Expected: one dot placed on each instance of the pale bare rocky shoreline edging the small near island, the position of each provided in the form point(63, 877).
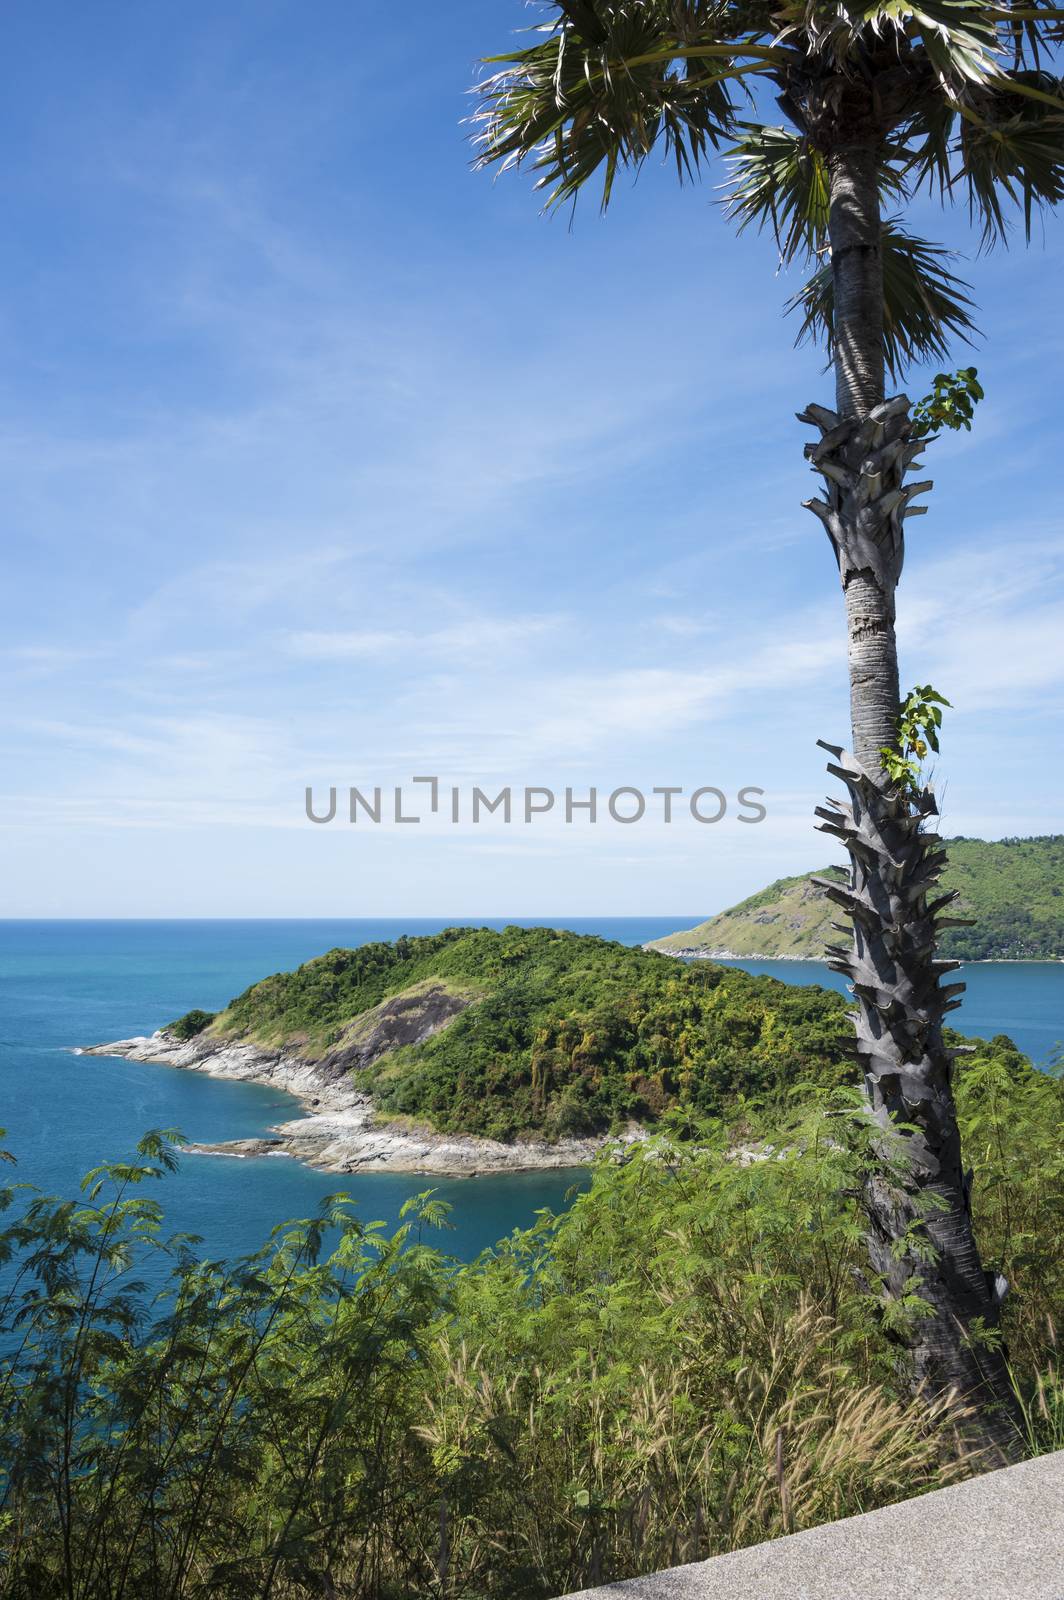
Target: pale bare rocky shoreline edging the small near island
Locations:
point(340, 1130)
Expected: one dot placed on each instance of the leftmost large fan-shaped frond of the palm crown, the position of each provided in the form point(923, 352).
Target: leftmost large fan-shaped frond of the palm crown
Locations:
point(612, 79)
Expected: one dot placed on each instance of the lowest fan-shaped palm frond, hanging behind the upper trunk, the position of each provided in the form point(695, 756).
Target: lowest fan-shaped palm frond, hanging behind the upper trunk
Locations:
point(926, 305)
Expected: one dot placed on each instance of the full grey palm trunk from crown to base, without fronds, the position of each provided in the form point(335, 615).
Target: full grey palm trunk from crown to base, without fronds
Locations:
point(865, 454)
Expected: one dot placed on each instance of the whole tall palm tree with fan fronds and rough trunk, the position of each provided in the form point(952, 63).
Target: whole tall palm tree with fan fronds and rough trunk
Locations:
point(882, 100)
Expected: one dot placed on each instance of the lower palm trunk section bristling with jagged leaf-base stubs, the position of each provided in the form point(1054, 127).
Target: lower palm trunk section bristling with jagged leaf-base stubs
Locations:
point(908, 1076)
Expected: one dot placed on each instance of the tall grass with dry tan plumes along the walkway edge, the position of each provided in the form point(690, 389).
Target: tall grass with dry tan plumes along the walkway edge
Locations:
point(578, 1482)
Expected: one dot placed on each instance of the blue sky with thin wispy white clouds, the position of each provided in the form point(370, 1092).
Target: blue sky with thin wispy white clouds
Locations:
point(329, 462)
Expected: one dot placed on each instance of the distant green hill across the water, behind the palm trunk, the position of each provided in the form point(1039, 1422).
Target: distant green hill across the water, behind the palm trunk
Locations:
point(1012, 889)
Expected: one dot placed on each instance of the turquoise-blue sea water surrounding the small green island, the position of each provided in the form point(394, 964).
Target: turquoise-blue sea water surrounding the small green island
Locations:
point(65, 985)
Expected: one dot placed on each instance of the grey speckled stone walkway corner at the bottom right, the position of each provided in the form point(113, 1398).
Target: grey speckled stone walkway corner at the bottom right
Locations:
point(994, 1538)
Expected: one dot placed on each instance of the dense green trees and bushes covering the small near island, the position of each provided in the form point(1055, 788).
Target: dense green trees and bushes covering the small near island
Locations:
point(564, 1034)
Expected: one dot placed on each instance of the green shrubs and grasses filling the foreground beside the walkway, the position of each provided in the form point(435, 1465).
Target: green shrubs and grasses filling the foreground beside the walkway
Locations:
point(601, 1396)
